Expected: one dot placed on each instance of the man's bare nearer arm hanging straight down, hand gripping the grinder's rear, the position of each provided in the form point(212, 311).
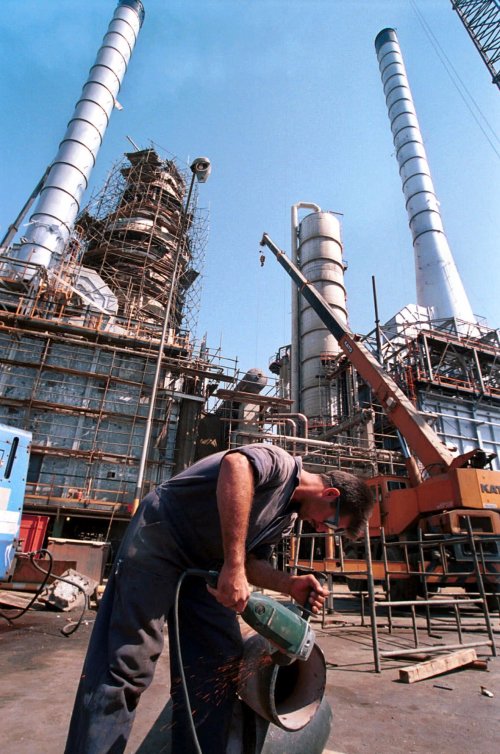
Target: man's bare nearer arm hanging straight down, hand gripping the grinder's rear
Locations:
point(235, 489)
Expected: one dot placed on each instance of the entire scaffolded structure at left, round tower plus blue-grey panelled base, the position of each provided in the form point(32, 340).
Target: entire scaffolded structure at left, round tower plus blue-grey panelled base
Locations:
point(80, 343)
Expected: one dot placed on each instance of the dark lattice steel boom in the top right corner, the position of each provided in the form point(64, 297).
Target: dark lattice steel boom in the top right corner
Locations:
point(481, 19)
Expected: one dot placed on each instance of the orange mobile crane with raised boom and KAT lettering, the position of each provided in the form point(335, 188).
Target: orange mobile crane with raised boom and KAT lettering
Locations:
point(456, 488)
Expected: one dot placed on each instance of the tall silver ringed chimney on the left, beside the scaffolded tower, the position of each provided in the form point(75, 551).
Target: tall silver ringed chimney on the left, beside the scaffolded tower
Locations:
point(54, 215)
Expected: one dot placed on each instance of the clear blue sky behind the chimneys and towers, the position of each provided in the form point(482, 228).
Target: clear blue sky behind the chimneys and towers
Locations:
point(285, 98)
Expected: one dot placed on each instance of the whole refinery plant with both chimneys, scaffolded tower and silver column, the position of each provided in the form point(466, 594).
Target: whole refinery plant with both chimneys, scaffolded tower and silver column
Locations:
point(98, 307)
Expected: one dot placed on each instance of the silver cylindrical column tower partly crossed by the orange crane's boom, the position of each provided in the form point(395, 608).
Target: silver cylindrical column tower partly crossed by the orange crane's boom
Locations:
point(318, 254)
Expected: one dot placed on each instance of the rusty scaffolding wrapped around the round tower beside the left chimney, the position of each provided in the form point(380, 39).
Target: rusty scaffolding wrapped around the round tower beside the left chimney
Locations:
point(134, 230)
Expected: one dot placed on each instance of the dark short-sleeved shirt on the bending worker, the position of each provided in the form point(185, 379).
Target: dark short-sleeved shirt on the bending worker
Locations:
point(189, 503)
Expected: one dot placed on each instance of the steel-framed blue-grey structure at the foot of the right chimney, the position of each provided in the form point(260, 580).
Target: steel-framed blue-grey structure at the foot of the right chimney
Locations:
point(453, 379)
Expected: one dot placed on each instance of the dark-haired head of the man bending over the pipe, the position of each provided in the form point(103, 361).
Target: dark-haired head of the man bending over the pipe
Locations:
point(351, 501)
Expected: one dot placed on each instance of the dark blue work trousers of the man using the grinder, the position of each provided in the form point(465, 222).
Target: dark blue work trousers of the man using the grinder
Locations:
point(128, 639)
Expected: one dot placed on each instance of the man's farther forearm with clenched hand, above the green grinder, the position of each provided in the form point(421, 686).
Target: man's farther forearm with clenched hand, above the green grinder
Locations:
point(303, 589)
